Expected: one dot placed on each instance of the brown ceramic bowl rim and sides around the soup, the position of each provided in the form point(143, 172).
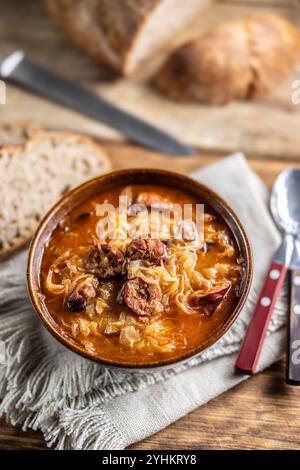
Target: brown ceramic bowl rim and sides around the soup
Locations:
point(125, 177)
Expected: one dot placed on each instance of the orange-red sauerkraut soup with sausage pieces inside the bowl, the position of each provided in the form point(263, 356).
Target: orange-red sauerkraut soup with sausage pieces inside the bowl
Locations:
point(140, 299)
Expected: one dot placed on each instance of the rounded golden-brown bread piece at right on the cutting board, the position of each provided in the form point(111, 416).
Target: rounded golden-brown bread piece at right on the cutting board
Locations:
point(237, 60)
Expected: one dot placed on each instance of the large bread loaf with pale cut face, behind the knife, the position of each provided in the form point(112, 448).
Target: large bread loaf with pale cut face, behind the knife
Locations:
point(127, 35)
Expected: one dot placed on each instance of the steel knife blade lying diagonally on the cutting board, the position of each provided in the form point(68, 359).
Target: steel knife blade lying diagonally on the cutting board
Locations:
point(24, 72)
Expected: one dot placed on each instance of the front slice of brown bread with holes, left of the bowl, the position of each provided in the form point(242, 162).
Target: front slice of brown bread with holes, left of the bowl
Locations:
point(35, 174)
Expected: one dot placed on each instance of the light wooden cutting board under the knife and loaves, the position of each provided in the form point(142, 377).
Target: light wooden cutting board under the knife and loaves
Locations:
point(268, 128)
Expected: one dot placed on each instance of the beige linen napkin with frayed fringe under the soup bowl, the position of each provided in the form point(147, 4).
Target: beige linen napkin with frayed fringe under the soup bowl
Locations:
point(81, 405)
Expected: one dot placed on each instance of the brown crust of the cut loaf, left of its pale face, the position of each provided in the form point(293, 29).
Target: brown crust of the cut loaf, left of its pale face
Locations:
point(106, 32)
